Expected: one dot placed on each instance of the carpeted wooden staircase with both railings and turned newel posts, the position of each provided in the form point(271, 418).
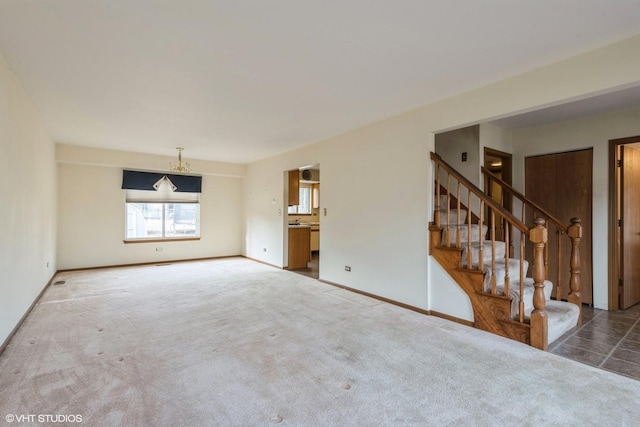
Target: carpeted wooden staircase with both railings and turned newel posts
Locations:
point(482, 246)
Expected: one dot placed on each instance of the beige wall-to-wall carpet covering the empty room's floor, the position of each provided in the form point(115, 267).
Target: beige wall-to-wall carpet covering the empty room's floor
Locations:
point(236, 343)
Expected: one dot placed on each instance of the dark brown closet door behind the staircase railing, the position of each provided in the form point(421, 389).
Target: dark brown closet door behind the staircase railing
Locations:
point(562, 185)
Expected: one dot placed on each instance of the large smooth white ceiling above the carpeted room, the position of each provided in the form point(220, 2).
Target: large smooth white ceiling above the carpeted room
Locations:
point(241, 80)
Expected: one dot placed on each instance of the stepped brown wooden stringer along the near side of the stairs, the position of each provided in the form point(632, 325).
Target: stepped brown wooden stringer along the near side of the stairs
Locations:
point(492, 313)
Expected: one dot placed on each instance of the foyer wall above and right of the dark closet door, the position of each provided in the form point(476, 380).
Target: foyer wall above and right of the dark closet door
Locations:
point(588, 132)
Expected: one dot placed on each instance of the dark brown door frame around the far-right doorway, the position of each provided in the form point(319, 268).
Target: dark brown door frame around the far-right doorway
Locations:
point(614, 238)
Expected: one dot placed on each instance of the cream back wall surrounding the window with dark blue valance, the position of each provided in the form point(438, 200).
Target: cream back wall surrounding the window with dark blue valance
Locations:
point(91, 220)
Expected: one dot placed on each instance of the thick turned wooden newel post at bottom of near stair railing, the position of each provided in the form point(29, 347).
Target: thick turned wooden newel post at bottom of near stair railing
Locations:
point(539, 322)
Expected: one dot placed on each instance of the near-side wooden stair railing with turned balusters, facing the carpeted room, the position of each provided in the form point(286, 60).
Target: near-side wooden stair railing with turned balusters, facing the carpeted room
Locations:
point(477, 201)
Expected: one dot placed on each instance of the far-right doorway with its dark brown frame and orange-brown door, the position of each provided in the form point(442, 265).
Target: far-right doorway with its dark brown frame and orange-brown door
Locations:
point(624, 223)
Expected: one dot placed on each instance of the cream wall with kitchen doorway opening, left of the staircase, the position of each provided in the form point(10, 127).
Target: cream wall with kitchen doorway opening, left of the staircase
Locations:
point(365, 181)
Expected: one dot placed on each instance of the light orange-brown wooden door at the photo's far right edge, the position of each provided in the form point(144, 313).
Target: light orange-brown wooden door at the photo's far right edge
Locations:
point(630, 226)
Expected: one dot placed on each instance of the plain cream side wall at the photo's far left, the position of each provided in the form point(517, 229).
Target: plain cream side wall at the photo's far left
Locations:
point(28, 203)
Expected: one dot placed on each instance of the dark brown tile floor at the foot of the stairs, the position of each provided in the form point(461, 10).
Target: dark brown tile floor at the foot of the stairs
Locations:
point(606, 339)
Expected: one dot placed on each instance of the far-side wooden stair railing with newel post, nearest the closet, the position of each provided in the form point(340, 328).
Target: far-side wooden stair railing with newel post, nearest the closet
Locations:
point(572, 231)
